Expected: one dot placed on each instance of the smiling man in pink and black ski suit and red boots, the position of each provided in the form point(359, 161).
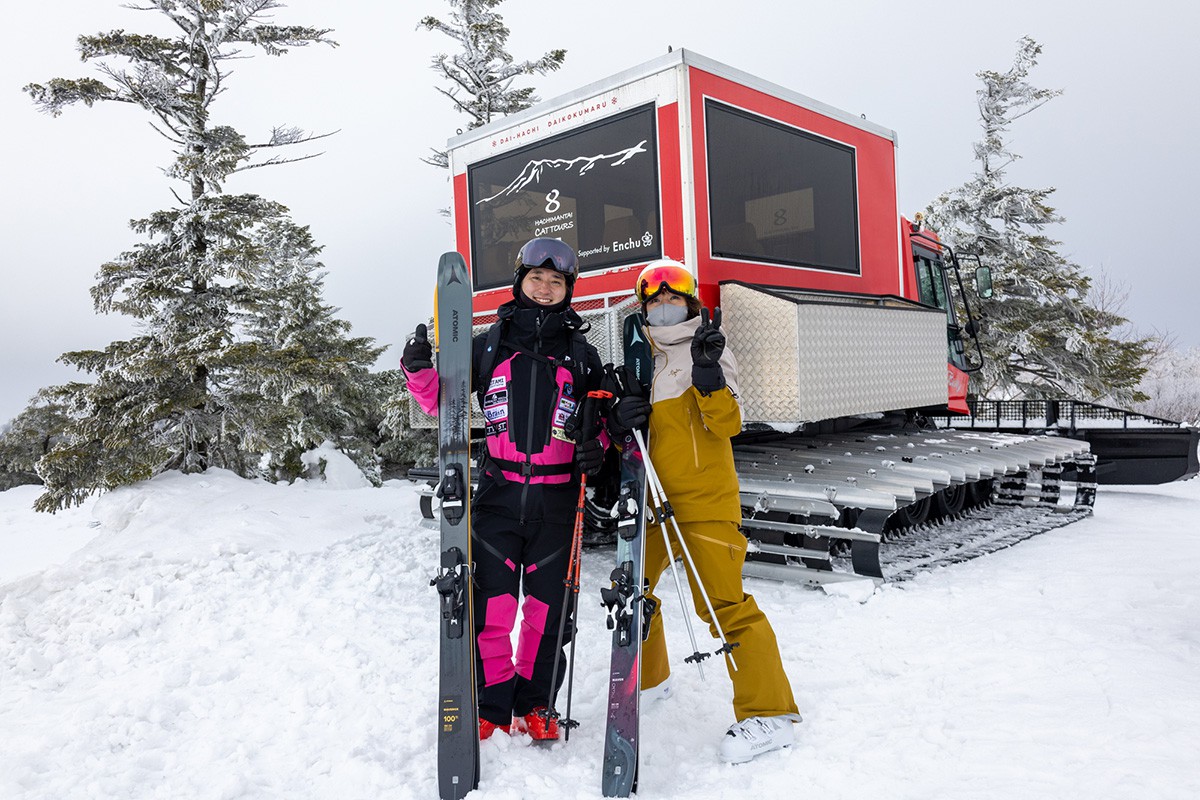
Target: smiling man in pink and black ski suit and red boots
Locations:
point(532, 372)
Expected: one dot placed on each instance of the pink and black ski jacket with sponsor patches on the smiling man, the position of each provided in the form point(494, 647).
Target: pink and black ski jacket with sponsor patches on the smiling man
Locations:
point(530, 401)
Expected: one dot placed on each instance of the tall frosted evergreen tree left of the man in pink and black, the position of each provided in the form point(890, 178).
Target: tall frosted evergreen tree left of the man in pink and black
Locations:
point(189, 392)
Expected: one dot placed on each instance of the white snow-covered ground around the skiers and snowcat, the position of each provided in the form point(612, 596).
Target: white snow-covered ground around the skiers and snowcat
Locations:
point(211, 637)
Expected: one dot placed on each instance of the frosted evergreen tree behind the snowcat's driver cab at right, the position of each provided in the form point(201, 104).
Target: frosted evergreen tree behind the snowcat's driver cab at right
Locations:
point(1045, 338)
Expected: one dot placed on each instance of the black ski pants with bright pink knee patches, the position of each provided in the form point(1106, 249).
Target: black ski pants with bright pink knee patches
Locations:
point(515, 560)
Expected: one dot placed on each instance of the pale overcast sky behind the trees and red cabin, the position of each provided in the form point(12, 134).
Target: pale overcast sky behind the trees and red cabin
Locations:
point(1120, 145)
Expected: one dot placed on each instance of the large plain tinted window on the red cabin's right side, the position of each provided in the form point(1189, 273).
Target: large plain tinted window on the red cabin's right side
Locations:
point(778, 194)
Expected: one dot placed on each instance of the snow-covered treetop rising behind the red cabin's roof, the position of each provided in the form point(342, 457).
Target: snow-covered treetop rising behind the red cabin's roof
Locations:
point(481, 77)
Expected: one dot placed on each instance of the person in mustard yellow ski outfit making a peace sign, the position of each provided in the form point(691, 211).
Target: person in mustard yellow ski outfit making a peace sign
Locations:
point(693, 413)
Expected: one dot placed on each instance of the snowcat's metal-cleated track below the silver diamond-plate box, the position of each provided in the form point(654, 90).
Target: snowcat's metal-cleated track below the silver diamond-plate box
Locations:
point(887, 507)
